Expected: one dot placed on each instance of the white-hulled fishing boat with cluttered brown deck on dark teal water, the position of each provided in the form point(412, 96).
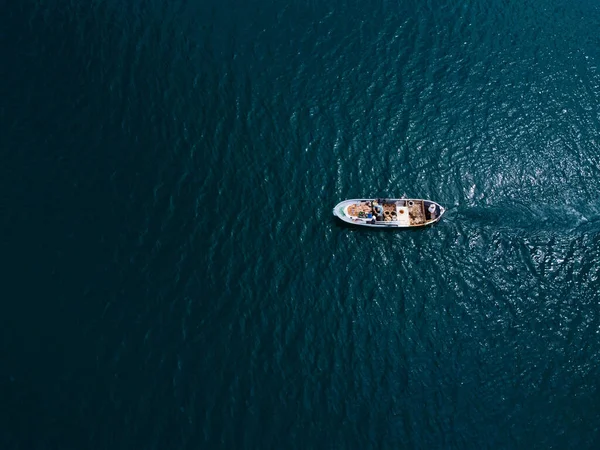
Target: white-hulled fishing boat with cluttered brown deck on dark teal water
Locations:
point(389, 212)
